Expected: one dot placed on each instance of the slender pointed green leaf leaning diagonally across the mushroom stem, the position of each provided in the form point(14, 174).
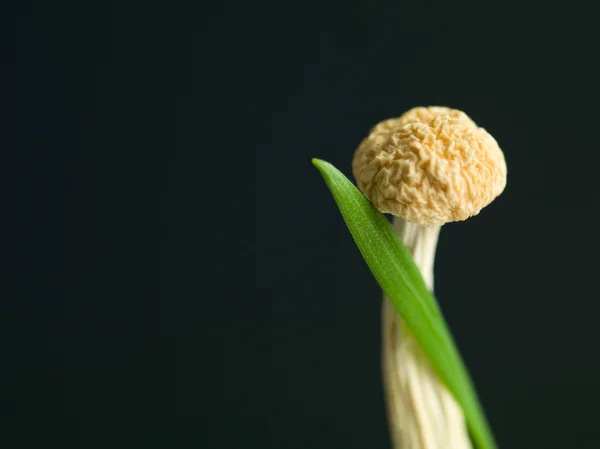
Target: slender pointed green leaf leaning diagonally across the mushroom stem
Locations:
point(394, 269)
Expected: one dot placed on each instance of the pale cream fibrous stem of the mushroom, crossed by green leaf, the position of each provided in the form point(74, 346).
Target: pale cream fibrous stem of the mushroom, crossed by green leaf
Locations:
point(422, 413)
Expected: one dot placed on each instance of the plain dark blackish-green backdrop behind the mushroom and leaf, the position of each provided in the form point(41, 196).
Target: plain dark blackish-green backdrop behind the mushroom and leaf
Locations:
point(180, 276)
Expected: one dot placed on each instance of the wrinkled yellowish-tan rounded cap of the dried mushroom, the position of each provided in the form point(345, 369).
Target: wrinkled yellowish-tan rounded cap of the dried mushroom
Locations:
point(431, 173)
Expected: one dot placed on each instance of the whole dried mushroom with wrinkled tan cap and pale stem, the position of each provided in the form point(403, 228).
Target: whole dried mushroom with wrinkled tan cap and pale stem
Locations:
point(428, 167)
